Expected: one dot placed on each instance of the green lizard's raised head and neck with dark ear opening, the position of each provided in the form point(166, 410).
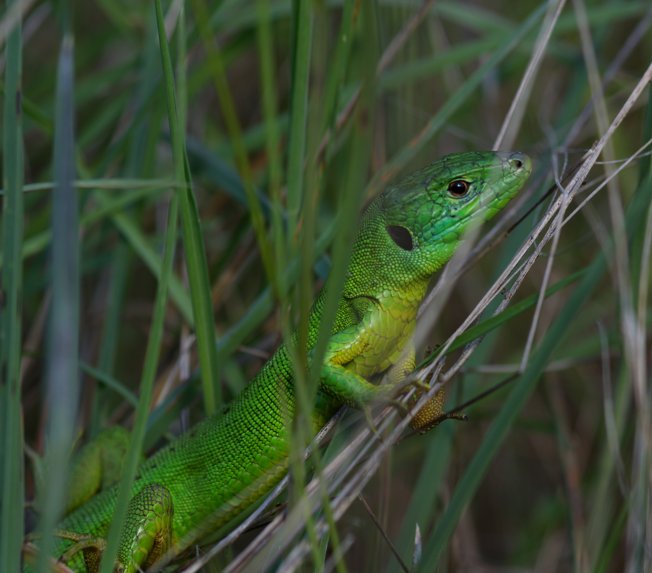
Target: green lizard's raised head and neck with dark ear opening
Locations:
point(411, 229)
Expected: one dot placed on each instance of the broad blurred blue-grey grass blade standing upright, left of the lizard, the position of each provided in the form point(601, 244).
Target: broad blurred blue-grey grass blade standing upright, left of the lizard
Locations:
point(63, 362)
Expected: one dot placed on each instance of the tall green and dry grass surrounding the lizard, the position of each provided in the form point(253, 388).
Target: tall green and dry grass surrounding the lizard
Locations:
point(178, 180)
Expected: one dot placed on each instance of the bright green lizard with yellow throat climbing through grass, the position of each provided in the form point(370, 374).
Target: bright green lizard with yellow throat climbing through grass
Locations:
point(207, 479)
